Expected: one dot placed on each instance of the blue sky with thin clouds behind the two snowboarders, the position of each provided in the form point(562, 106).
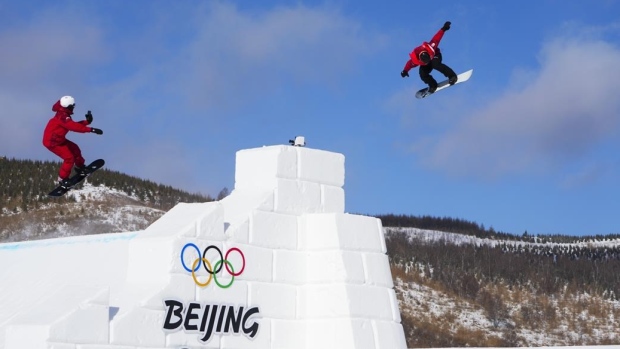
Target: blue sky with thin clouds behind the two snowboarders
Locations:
point(530, 142)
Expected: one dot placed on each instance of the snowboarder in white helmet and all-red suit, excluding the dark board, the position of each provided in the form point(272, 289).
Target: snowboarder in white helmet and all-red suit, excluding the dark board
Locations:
point(54, 137)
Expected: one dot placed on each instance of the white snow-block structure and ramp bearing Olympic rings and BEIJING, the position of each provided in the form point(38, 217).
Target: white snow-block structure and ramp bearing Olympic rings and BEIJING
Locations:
point(276, 264)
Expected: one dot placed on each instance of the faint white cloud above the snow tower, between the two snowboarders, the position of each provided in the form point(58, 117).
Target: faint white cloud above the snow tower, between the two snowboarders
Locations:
point(237, 57)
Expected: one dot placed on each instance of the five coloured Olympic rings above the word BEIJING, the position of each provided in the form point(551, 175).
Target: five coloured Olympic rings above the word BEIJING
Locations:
point(216, 268)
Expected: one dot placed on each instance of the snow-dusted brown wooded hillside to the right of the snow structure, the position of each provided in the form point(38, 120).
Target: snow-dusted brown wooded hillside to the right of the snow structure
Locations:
point(462, 307)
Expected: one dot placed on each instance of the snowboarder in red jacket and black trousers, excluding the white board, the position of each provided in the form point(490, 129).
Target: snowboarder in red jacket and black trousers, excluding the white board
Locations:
point(428, 57)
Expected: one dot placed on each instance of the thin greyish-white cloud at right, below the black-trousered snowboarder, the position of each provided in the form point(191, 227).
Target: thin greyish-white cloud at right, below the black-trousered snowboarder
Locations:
point(568, 108)
